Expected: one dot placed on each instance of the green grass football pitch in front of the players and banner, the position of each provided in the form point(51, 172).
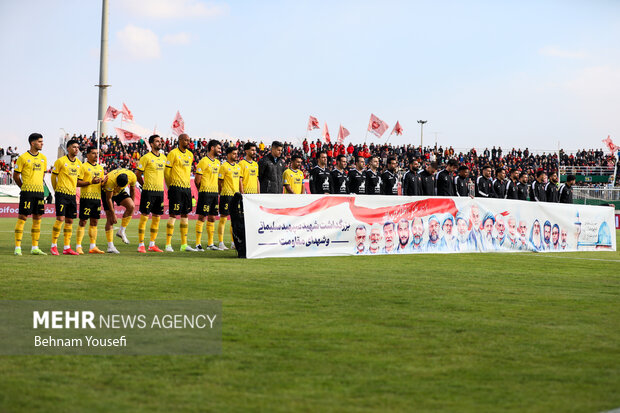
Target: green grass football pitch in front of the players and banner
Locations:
point(472, 332)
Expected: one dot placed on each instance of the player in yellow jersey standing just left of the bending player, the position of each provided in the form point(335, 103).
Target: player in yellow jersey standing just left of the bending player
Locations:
point(89, 180)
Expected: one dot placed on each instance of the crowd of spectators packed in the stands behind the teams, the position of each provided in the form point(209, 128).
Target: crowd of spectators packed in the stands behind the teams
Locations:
point(115, 154)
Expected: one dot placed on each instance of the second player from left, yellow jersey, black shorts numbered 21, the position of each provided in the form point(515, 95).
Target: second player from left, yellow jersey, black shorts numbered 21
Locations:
point(64, 182)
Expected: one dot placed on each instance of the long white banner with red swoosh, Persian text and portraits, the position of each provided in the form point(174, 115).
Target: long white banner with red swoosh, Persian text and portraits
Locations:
point(326, 225)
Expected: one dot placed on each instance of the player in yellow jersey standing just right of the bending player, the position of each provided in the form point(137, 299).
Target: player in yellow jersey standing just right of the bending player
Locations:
point(150, 174)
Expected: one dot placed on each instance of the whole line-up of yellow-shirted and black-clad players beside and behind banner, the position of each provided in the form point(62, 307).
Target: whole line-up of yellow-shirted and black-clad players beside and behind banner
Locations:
point(217, 183)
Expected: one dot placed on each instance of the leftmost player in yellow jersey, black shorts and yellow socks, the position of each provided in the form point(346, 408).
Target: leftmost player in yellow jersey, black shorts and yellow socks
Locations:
point(28, 175)
